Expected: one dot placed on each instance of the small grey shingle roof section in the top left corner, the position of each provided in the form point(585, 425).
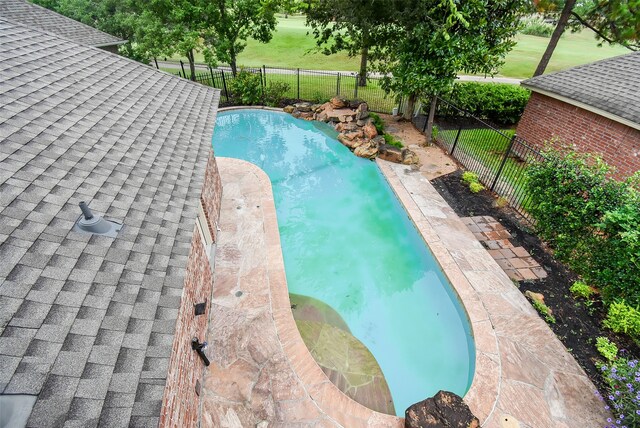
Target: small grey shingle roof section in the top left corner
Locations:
point(35, 16)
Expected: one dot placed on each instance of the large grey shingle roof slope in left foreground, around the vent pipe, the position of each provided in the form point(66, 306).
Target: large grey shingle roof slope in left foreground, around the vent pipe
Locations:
point(86, 322)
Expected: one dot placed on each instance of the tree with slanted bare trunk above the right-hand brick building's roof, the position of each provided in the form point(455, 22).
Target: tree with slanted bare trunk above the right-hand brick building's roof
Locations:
point(614, 21)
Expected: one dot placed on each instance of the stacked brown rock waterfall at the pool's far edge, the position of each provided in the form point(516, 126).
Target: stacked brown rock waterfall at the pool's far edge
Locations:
point(355, 127)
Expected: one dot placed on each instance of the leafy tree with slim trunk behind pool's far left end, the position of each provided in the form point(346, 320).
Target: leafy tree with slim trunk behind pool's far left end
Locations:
point(232, 23)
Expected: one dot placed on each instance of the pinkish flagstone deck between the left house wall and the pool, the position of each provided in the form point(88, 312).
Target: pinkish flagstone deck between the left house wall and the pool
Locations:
point(260, 368)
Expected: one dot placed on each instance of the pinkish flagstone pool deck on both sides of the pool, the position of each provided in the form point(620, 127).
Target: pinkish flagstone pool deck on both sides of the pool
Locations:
point(262, 374)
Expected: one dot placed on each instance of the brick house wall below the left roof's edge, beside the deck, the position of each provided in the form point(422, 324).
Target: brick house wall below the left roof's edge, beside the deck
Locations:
point(180, 400)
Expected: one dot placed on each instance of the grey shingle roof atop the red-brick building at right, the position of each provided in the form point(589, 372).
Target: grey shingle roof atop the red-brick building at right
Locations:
point(611, 85)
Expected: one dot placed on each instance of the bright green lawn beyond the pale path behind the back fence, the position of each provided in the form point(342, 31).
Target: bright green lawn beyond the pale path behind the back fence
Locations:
point(291, 44)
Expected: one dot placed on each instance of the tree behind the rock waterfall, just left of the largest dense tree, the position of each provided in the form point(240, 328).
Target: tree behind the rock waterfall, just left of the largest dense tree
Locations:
point(351, 26)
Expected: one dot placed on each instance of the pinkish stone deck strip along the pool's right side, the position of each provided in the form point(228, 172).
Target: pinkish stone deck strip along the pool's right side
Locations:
point(522, 370)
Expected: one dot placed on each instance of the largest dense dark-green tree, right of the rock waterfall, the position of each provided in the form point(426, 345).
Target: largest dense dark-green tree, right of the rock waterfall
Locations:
point(434, 40)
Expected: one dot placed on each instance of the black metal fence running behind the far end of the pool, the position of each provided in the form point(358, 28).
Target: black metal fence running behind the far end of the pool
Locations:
point(308, 85)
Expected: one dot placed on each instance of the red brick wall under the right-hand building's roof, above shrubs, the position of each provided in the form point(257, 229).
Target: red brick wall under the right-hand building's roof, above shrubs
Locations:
point(546, 117)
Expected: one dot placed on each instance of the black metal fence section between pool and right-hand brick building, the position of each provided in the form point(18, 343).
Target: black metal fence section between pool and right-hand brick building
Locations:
point(498, 156)
